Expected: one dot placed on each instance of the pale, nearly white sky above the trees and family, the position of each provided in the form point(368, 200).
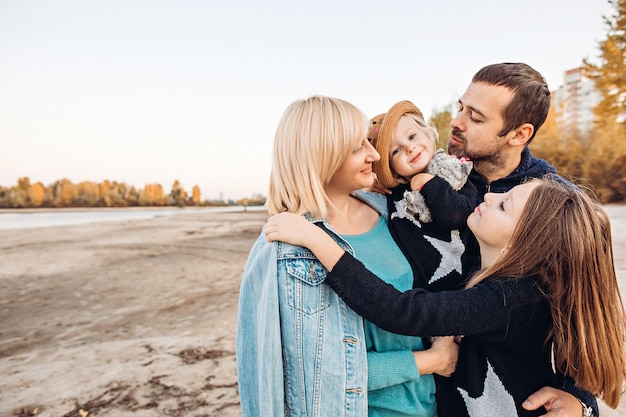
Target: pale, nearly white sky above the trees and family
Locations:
point(153, 91)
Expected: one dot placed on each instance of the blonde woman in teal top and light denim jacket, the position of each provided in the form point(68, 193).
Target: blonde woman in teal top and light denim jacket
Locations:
point(301, 351)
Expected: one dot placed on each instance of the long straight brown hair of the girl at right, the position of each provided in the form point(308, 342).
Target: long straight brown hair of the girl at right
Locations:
point(563, 237)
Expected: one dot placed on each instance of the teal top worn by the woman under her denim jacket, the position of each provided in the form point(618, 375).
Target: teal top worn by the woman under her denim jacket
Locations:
point(395, 387)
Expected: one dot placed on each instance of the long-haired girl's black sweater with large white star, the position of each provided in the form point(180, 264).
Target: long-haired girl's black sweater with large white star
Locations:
point(502, 359)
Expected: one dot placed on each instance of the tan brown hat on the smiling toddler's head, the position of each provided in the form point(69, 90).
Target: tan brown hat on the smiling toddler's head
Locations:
point(380, 131)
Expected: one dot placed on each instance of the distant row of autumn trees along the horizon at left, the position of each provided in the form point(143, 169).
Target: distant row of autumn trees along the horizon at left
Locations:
point(64, 193)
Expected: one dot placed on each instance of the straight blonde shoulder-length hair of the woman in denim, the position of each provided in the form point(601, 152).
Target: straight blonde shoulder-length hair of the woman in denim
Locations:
point(313, 139)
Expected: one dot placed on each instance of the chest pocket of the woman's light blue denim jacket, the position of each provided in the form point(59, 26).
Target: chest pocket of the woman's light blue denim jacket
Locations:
point(306, 289)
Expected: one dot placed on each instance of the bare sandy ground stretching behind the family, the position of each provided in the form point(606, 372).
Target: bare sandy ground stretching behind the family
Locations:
point(135, 318)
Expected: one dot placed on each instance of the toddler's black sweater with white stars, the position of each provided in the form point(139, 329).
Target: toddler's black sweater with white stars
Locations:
point(436, 249)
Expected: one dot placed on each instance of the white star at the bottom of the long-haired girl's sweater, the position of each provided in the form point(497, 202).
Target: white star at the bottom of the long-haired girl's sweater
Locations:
point(495, 399)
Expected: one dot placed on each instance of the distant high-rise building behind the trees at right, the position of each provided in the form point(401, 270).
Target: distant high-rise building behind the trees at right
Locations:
point(574, 102)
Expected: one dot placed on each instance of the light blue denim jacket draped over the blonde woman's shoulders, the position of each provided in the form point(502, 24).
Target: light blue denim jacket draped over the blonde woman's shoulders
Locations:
point(300, 349)
